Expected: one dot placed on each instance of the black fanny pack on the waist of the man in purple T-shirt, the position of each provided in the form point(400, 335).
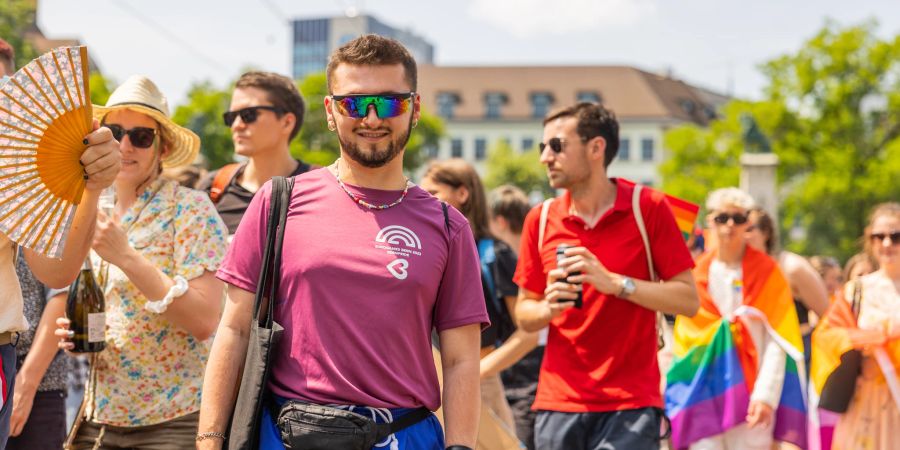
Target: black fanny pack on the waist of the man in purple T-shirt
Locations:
point(309, 426)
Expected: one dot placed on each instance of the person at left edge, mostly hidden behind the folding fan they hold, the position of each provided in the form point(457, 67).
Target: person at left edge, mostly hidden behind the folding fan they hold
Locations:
point(101, 161)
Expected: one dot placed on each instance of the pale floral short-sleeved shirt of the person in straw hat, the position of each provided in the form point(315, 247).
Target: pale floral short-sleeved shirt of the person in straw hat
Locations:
point(152, 371)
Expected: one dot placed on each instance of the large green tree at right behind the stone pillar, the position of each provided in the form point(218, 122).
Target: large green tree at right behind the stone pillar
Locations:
point(832, 113)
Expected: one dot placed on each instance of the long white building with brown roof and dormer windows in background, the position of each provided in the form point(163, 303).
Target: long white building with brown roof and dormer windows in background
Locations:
point(483, 105)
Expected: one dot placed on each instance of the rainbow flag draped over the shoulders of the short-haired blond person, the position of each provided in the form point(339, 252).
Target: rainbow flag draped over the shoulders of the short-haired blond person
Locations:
point(715, 365)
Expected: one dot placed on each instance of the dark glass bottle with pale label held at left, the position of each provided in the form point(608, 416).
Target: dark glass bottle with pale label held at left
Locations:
point(86, 310)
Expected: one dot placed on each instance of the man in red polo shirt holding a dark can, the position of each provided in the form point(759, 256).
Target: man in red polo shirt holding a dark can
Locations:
point(599, 382)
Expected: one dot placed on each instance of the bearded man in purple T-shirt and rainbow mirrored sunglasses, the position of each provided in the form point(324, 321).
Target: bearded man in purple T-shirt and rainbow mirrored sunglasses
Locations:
point(372, 264)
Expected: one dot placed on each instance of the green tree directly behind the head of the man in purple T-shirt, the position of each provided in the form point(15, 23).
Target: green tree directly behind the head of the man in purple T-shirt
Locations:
point(318, 145)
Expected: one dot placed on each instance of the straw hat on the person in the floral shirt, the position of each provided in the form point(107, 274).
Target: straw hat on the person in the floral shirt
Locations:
point(139, 94)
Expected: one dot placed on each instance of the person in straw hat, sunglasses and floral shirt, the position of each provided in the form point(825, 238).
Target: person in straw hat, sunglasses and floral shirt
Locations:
point(155, 256)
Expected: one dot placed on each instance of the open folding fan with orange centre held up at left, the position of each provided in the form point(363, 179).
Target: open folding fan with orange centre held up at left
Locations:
point(45, 113)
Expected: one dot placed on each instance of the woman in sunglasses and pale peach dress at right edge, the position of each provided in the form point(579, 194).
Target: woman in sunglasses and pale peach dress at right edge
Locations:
point(873, 327)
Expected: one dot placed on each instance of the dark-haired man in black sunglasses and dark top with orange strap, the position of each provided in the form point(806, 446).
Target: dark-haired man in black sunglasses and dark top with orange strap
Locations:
point(265, 115)
